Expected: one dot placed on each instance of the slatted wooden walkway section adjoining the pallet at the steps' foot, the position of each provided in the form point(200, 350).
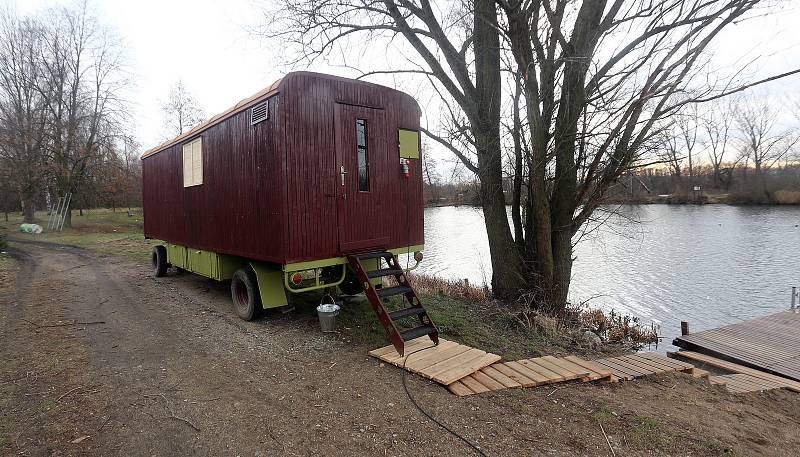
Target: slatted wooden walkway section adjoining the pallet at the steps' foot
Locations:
point(530, 373)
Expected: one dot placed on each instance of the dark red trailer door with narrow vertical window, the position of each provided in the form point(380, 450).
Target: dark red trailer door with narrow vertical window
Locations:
point(362, 171)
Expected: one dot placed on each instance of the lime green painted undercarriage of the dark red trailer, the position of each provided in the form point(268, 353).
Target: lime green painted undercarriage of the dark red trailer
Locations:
point(273, 280)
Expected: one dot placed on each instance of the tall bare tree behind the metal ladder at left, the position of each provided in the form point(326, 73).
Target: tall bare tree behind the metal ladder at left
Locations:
point(85, 79)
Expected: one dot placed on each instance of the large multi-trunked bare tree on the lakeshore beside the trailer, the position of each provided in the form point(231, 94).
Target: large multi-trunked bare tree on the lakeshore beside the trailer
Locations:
point(595, 76)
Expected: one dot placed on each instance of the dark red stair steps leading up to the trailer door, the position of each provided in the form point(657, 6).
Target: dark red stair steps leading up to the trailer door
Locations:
point(390, 318)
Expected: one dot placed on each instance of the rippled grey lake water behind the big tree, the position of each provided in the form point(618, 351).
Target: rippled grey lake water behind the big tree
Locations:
point(709, 265)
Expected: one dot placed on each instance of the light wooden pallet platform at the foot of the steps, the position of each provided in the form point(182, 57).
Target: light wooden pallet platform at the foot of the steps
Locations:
point(446, 363)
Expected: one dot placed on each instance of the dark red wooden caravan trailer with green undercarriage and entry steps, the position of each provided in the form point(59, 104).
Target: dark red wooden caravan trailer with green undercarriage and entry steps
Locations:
point(314, 182)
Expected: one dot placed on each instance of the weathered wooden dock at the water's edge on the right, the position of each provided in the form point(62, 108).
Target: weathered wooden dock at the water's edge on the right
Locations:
point(770, 343)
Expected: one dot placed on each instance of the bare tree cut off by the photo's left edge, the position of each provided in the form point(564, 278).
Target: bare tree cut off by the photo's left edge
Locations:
point(22, 109)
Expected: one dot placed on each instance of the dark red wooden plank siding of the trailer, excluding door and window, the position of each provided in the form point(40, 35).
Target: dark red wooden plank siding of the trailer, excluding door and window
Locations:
point(269, 191)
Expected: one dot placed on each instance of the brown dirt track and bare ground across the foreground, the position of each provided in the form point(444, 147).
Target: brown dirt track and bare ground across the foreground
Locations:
point(163, 367)
